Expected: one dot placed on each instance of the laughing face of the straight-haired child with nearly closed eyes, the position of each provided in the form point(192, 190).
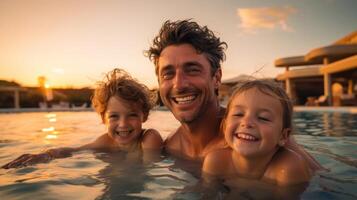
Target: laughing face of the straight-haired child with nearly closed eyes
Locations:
point(254, 124)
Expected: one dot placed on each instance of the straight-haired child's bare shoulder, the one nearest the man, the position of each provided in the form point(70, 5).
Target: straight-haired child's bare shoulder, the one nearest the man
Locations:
point(218, 162)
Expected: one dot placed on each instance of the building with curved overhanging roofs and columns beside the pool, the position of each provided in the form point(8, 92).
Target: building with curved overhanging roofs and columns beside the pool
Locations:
point(323, 76)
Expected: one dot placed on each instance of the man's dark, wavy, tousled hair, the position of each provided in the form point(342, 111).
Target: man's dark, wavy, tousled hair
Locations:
point(188, 32)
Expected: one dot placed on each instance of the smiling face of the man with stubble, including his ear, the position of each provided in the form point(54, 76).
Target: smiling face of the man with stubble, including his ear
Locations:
point(185, 82)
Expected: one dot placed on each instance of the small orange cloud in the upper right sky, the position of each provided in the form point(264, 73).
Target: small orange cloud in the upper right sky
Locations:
point(253, 19)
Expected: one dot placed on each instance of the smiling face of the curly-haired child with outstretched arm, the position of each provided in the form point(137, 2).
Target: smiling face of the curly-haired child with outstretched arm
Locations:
point(124, 121)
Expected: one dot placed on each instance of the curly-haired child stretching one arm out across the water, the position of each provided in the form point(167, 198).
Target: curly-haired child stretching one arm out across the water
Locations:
point(123, 105)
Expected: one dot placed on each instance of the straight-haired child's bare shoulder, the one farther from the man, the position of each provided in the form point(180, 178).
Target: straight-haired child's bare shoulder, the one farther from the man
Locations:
point(288, 168)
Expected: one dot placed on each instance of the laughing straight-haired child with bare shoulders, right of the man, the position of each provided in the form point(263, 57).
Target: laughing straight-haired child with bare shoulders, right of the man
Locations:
point(256, 127)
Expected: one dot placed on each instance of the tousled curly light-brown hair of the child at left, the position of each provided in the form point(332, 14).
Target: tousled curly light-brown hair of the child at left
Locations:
point(120, 84)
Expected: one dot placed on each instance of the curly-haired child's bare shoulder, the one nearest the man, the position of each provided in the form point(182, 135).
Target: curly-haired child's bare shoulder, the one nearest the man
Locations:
point(151, 139)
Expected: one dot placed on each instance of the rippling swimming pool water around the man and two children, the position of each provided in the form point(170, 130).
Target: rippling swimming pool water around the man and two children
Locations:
point(329, 136)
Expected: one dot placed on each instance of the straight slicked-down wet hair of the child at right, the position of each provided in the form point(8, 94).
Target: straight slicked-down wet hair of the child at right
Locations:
point(268, 87)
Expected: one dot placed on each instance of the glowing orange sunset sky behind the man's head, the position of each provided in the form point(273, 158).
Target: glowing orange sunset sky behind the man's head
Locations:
point(74, 42)
